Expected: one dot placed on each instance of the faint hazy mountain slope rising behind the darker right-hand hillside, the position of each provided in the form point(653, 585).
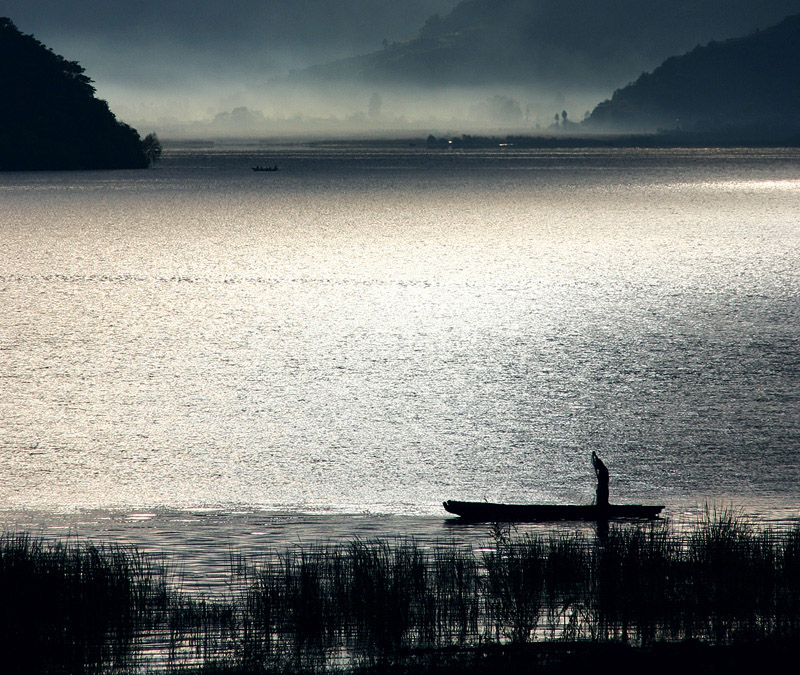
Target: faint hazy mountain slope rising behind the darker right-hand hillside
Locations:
point(549, 44)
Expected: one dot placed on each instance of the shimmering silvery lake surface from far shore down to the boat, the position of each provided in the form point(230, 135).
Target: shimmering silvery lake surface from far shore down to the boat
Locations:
point(373, 330)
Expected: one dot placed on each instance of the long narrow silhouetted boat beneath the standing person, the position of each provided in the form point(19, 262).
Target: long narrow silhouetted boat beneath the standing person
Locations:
point(488, 512)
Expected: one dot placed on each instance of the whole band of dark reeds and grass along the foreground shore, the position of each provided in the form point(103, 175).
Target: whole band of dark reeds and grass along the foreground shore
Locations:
point(721, 593)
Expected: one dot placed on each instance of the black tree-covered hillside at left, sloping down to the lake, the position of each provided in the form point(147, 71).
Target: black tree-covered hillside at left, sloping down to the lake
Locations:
point(49, 116)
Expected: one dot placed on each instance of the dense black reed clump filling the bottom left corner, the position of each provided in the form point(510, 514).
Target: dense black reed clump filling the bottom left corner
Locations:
point(65, 608)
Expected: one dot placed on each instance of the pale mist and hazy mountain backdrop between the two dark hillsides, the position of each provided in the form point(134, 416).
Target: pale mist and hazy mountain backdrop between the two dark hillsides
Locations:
point(259, 68)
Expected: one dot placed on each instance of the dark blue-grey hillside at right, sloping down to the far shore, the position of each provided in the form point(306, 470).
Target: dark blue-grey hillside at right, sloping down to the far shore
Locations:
point(748, 85)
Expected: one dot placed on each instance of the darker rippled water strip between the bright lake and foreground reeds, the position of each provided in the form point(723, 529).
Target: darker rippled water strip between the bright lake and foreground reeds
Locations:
point(200, 546)
